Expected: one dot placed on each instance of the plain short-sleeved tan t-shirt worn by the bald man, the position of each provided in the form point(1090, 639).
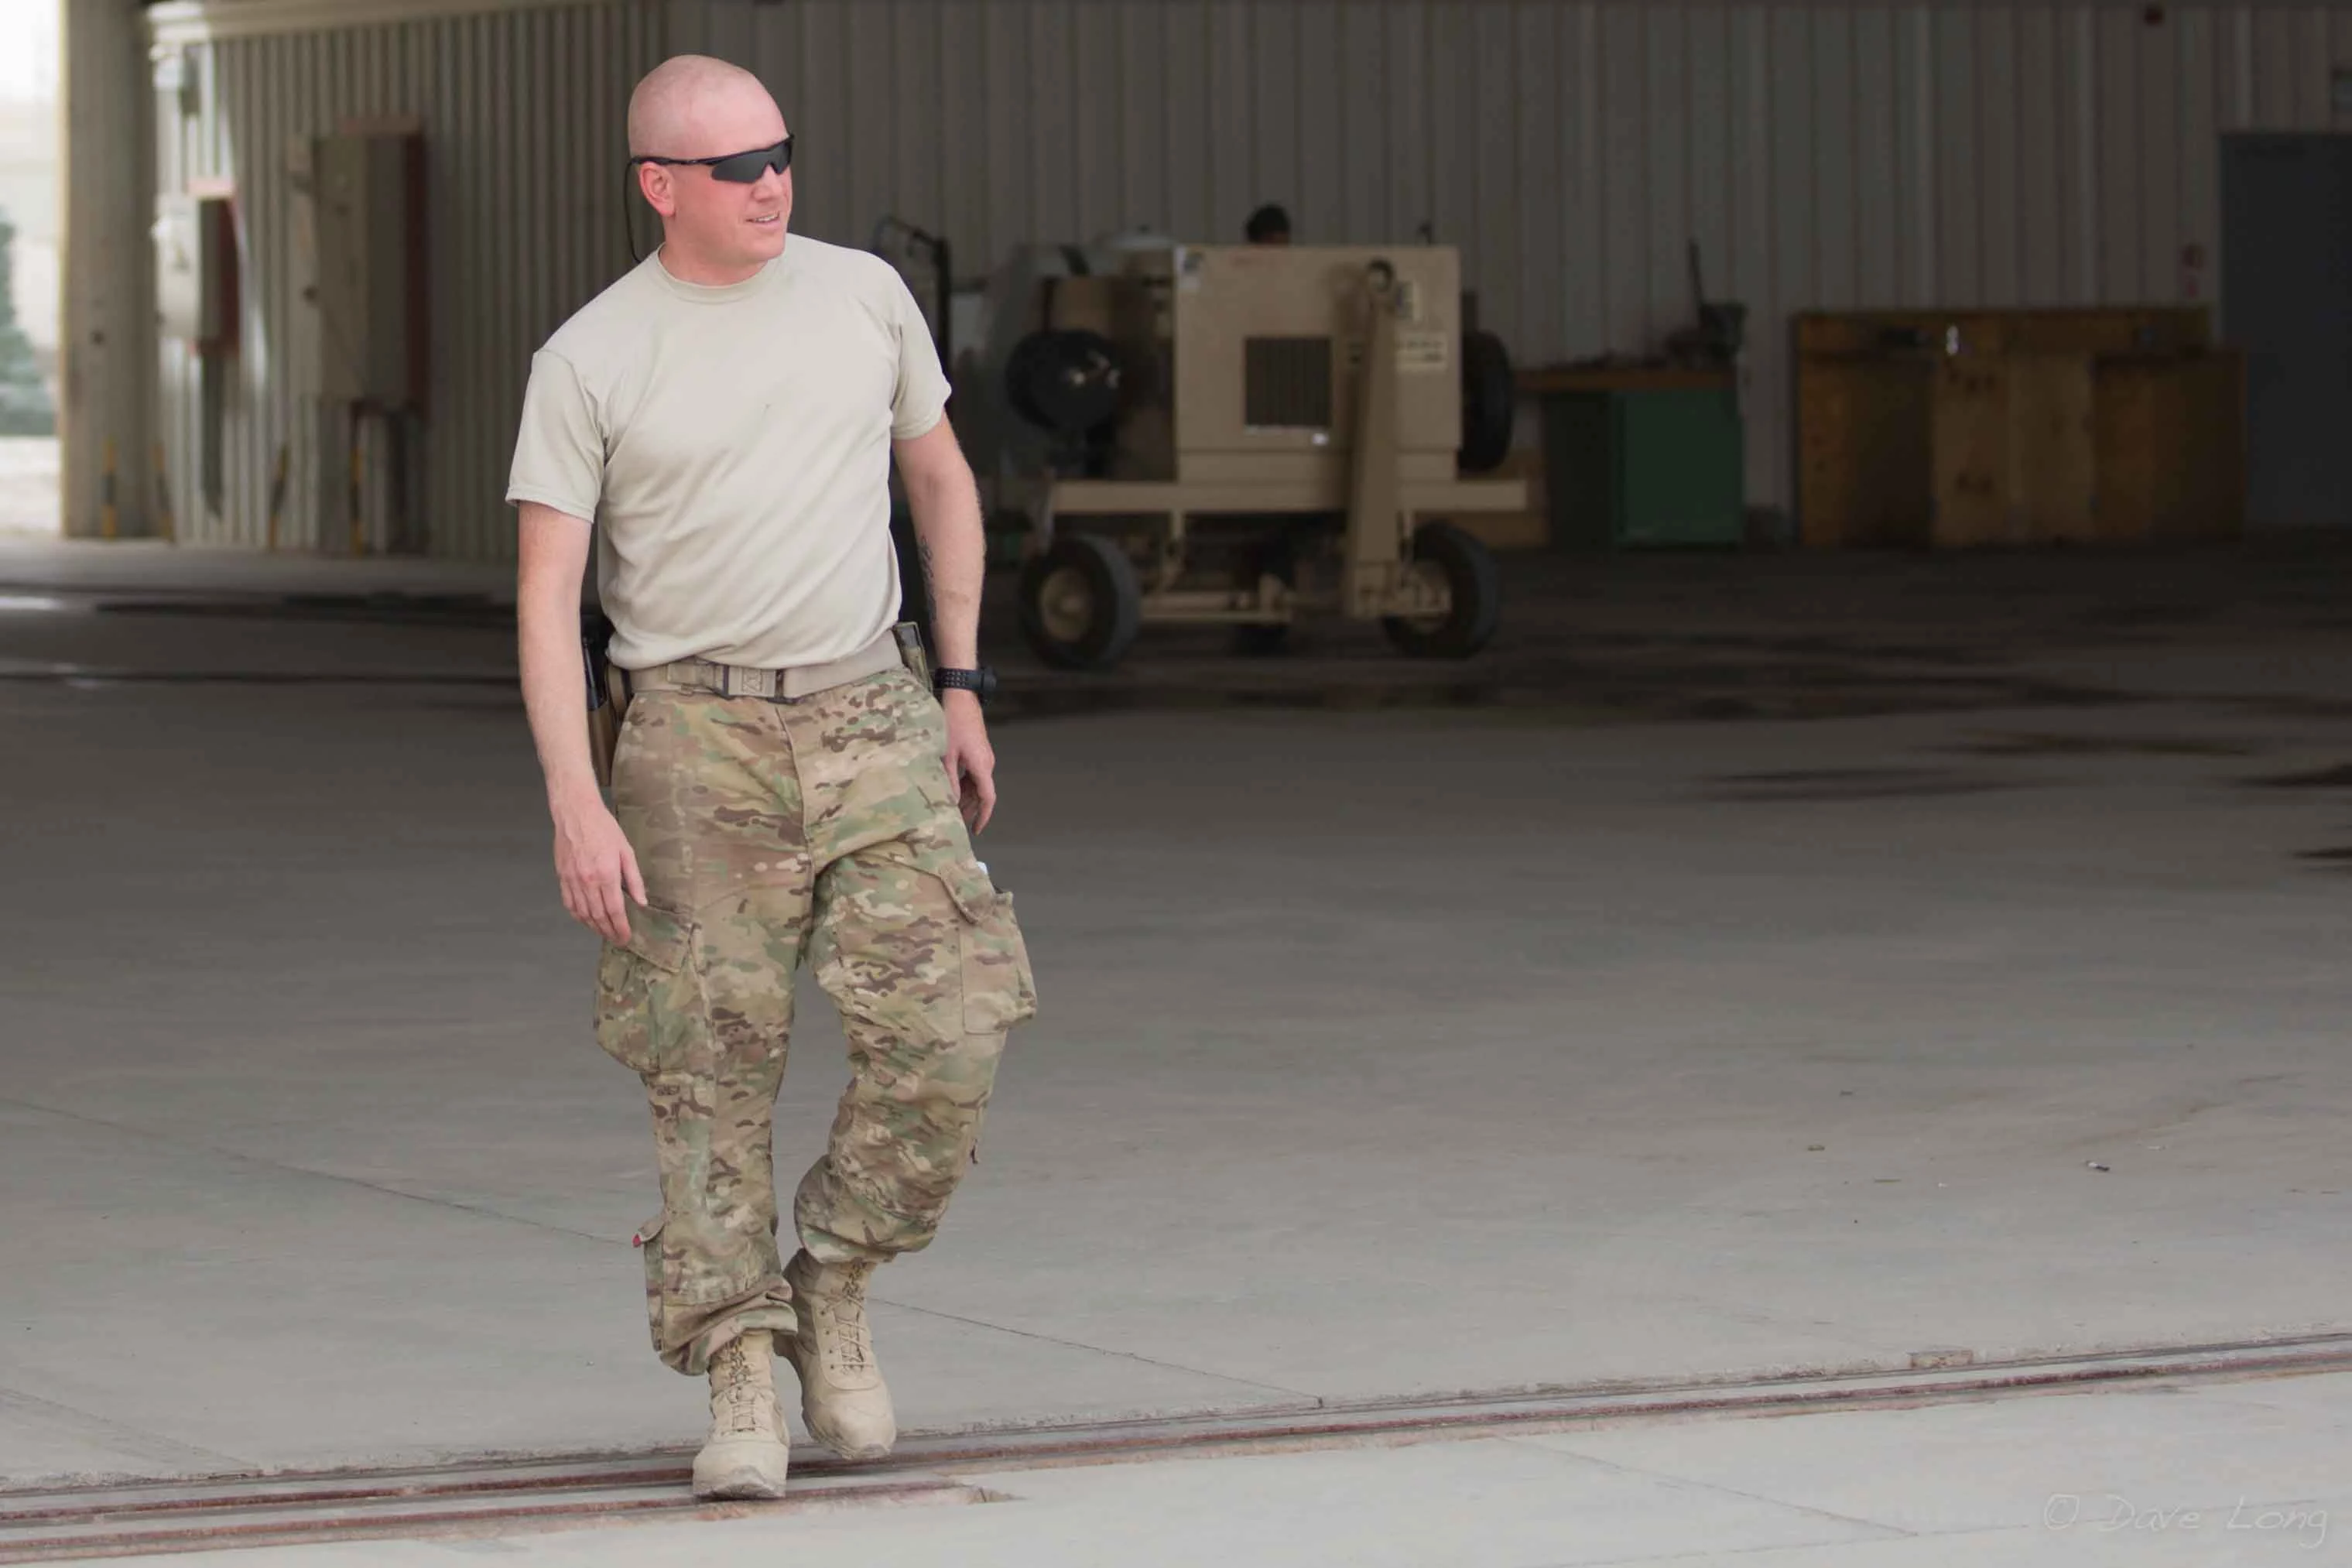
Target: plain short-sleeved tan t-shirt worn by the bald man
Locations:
point(733, 448)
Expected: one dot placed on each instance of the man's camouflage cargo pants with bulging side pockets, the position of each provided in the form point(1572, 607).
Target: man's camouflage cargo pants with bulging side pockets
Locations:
point(773, 833)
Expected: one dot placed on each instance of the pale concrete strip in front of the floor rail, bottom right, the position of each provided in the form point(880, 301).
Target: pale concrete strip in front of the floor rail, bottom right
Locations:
point(2158, 1477)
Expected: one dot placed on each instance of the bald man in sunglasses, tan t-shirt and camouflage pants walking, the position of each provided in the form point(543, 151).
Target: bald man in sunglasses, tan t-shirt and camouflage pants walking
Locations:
point(721, 427)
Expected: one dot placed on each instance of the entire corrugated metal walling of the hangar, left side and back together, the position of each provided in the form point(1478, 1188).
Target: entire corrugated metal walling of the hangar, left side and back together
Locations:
point(1965, 154)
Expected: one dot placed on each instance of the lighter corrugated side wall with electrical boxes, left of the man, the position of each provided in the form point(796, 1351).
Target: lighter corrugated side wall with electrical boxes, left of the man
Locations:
point(523, 116)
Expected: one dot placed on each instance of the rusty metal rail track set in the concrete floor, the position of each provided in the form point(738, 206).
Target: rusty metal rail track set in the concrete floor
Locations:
point(584, 1492)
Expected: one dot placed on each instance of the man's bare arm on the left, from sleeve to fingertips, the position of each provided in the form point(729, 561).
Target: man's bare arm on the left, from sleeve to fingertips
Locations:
point(594, 859)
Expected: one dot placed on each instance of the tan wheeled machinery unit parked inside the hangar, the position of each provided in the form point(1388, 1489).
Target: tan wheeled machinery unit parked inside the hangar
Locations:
point(1241, 436)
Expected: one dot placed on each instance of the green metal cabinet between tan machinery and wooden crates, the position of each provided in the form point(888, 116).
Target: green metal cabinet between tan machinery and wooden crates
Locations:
point(1645, 469)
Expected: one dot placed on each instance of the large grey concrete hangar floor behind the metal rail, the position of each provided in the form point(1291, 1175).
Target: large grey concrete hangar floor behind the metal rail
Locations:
point(1746, 967)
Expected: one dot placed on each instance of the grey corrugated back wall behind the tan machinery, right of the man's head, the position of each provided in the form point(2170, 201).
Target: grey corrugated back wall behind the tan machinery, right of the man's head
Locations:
point(1824, 156)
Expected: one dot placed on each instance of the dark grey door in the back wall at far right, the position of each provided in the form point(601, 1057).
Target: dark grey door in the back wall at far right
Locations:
point(2287, 302)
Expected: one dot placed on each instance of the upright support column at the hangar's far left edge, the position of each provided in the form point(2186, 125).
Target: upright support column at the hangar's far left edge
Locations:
point(109, 330)
